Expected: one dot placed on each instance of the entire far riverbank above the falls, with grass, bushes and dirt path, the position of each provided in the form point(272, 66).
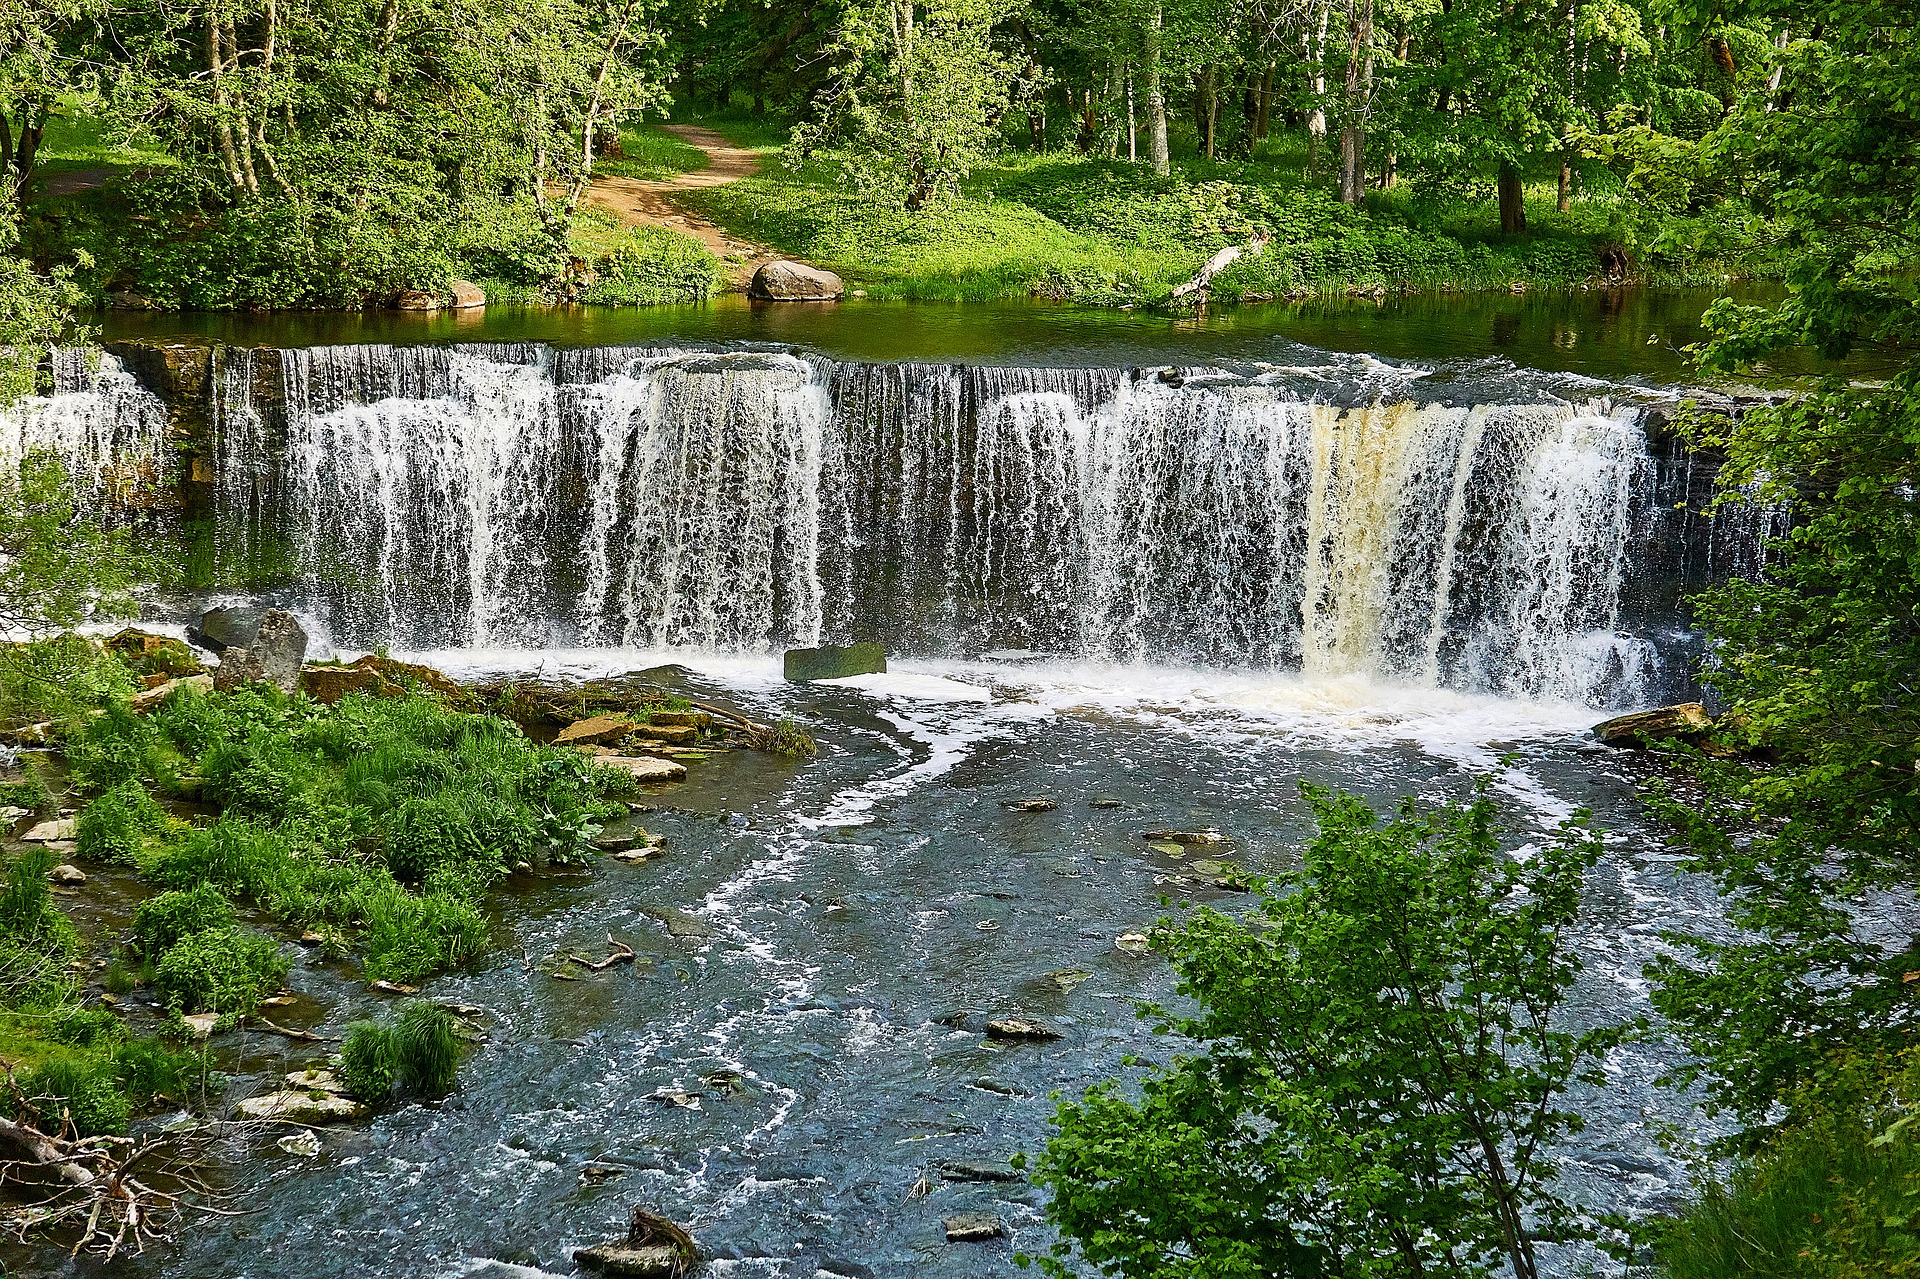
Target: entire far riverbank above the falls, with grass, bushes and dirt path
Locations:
point(665, 222)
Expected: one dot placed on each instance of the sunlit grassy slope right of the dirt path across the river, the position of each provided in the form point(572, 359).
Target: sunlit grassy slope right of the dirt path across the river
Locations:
point(1111, 233)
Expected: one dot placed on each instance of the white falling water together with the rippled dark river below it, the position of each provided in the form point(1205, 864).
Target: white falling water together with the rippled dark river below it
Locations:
point(1230, 569)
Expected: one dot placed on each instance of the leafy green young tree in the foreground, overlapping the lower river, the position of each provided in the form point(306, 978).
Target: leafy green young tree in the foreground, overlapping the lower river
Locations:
point(1381, 1071)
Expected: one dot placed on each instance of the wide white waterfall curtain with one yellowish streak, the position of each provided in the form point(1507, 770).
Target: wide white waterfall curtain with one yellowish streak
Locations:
point(748, 500)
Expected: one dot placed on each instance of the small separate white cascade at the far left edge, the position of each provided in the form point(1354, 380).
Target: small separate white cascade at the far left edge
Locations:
point(108, 431)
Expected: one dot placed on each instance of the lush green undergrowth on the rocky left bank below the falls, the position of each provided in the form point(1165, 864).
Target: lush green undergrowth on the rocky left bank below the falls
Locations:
point(379, 823)
